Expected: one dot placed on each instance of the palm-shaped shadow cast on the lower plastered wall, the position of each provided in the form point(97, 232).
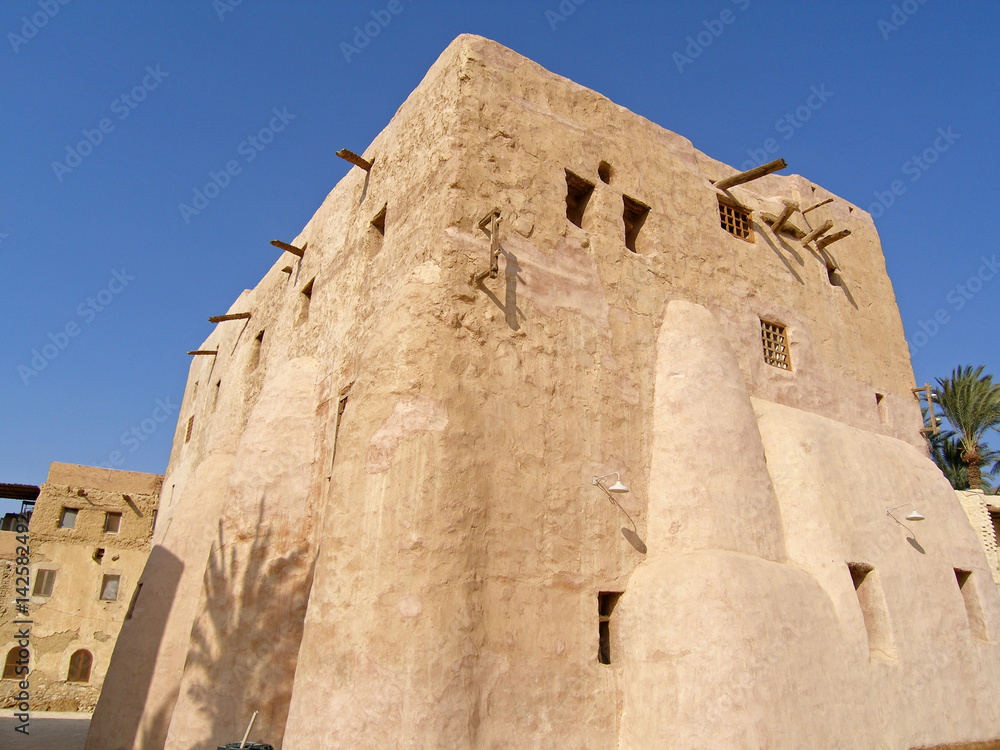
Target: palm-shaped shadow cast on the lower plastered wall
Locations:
point(245, 642)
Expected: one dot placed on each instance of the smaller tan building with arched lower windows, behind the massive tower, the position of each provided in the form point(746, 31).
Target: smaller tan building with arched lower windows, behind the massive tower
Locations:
point(88, 537)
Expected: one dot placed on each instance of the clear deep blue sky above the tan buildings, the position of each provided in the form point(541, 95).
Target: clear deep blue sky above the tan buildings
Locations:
point(209, 76)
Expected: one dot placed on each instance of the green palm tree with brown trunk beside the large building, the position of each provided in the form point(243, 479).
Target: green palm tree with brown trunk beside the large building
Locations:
point(971, 403)
